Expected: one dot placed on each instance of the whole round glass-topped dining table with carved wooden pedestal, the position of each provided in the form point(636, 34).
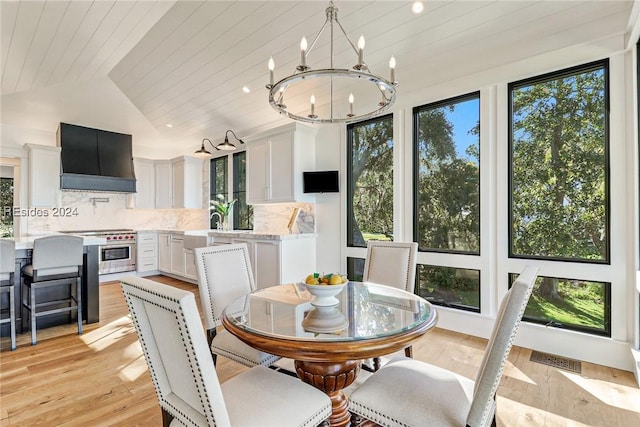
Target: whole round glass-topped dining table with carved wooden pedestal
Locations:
point(329, 342)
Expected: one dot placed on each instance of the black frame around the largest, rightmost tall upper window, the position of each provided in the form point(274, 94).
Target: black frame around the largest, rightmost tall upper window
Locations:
point(600, 64)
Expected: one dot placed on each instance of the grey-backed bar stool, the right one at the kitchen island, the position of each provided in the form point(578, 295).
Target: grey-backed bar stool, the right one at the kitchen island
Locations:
point(57, 260)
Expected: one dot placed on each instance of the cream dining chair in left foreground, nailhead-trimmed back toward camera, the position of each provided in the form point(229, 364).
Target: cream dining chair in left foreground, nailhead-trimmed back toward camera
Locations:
point(184, 376)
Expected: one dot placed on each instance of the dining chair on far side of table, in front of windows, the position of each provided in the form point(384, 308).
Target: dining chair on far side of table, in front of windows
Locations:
point(391, 264)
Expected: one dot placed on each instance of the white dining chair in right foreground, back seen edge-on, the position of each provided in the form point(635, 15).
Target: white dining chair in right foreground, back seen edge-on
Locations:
point(407, 392)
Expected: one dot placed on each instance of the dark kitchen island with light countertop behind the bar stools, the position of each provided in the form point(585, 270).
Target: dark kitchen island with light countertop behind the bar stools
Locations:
point(90, 289)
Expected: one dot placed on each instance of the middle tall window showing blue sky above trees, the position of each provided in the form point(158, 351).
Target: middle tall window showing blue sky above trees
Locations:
point(447, 175)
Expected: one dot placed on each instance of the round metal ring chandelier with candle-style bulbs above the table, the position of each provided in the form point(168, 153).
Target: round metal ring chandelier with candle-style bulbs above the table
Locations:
point(375, 93)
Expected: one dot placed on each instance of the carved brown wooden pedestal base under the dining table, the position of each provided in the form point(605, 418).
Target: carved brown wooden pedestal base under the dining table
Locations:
point(331, 377)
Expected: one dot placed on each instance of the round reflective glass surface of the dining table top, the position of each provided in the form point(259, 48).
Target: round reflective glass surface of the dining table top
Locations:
point(364, 311)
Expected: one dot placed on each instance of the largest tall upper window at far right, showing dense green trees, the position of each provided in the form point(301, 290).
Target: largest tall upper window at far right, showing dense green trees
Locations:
point(559, 166)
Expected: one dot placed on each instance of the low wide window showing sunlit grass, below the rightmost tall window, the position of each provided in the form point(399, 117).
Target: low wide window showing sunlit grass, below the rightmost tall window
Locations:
point(570, 304)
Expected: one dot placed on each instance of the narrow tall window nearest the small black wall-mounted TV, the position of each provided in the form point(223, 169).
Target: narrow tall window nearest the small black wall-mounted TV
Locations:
point(370, 181)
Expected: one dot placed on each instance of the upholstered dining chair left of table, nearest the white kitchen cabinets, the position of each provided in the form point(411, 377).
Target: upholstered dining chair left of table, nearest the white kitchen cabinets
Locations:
point(224, 275)
